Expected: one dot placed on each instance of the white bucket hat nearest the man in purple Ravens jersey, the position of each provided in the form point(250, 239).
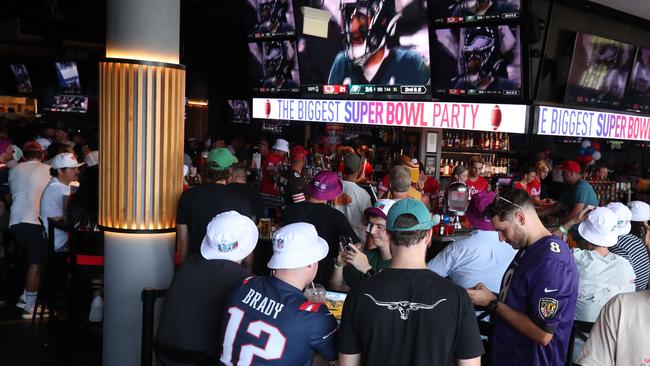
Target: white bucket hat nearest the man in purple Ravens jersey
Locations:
point(600, 227)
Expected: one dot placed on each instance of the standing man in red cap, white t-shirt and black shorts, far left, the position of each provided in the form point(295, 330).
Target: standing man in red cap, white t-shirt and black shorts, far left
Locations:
point(27, 181)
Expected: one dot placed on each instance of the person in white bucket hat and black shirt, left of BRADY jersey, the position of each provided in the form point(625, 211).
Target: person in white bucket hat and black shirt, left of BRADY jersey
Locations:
point(190, 319)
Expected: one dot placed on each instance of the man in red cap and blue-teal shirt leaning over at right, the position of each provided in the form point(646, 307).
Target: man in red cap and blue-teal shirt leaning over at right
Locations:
point(577, 195)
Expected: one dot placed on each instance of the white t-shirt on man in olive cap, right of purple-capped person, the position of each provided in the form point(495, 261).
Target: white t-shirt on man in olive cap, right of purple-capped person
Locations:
point(352, 202)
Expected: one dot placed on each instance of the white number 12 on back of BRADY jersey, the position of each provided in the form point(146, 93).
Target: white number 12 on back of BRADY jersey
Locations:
point(273, 350)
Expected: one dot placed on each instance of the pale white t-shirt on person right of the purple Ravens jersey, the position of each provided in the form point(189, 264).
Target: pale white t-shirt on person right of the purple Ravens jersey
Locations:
point(600, 279)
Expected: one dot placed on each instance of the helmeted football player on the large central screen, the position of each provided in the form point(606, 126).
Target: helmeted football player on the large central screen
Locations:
point(367, 58)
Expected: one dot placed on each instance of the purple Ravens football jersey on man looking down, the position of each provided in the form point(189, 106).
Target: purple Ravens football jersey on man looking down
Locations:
point(542, 282)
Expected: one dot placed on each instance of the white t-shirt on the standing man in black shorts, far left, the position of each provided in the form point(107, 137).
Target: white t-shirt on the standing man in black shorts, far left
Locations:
point(27, 181)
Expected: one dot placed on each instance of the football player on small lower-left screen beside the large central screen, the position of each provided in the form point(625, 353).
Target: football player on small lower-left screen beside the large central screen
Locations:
point(278, 65)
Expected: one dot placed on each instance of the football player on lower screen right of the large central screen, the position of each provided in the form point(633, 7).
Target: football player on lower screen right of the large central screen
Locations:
point(481, 60)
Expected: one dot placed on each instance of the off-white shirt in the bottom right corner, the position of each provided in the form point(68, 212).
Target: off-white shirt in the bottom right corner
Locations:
point(620, 335)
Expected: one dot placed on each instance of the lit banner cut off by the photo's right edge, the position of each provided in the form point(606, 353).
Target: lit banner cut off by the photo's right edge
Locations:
point(589, 123)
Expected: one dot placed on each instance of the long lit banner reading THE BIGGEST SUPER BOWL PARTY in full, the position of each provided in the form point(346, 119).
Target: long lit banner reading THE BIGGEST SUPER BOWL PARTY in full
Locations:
point(462, 116)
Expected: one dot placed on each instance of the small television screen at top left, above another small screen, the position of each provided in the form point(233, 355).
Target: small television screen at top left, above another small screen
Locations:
point(272, 19)
